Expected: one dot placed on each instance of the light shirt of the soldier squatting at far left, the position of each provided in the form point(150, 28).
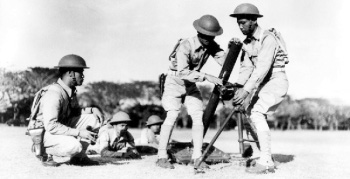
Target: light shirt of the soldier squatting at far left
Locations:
point(56, 106)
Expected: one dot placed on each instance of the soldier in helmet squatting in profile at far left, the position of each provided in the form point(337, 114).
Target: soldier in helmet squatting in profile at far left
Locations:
point(64, 121)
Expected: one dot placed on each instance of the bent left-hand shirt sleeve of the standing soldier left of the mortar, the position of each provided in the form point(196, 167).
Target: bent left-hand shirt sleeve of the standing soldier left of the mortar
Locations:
point(183, 67)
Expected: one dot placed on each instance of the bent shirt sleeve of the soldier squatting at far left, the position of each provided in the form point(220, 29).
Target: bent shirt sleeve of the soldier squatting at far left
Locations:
point(51, 107)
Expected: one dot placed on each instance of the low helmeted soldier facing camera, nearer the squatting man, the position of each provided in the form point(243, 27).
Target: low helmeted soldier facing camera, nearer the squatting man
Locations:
point(117, 142)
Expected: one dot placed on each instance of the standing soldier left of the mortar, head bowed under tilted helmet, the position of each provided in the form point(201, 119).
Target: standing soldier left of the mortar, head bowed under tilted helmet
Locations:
point(180, 85)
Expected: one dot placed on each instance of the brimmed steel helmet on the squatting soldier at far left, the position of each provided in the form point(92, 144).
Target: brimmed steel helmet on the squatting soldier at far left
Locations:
point(71, 61)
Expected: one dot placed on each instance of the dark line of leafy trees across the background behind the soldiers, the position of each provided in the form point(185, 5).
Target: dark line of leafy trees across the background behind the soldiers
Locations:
point(142, 99)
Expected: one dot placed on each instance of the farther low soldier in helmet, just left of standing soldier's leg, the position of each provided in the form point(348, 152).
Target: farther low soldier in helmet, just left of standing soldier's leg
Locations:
point(150, 135)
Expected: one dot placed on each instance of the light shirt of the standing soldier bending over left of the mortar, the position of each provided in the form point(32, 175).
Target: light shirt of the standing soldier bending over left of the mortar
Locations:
point(191, 56)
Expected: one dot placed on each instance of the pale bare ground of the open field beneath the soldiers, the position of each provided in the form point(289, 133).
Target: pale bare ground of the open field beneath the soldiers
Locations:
point(303, 154)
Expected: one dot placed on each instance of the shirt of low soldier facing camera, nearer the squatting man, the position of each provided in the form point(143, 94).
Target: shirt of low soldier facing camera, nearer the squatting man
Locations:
point(115, 141)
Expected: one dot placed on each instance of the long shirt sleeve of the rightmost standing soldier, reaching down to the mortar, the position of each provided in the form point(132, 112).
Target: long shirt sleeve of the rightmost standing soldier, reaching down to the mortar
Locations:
point(263, 63)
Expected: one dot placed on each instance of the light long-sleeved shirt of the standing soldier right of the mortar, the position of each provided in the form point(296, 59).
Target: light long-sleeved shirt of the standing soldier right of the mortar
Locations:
point(261, 53)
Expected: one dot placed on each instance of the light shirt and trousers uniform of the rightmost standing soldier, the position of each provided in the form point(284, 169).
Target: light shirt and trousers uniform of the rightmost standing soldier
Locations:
point(263, 75)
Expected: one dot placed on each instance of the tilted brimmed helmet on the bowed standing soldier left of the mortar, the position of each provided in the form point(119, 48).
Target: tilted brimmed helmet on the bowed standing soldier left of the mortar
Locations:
point(208, 25)
